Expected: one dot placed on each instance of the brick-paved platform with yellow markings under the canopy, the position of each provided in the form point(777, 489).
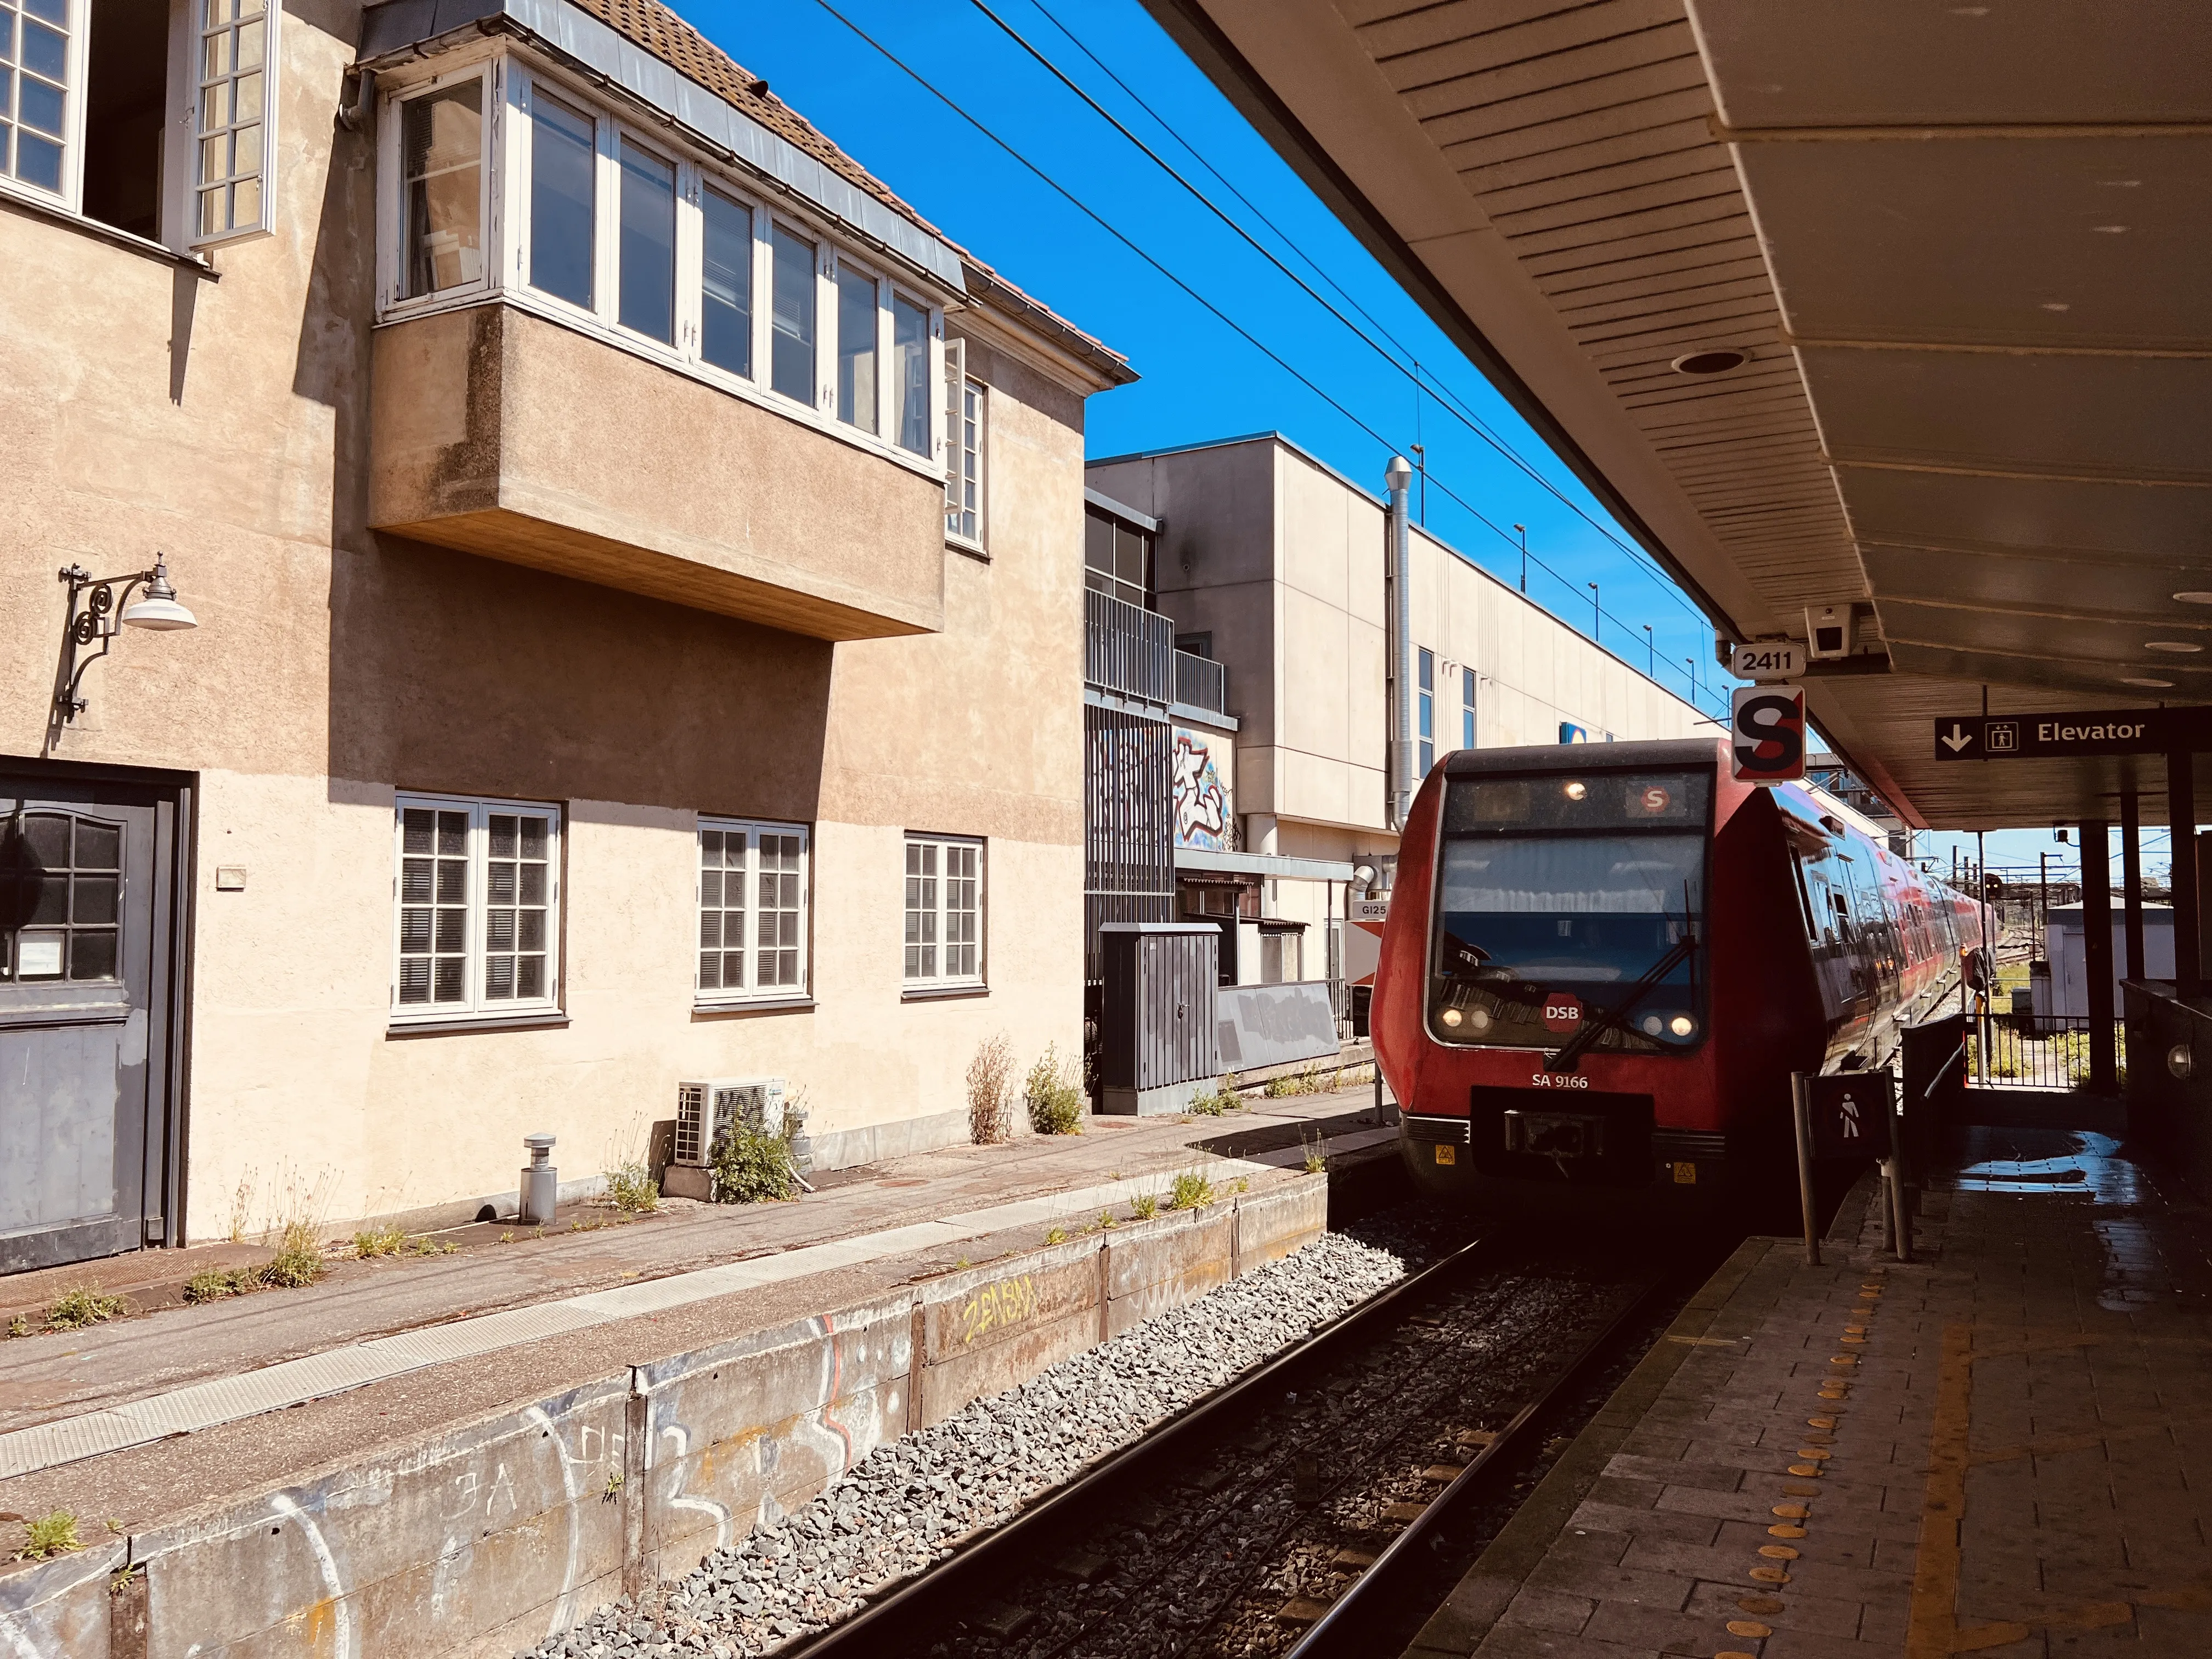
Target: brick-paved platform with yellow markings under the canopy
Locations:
point(1992, 1450)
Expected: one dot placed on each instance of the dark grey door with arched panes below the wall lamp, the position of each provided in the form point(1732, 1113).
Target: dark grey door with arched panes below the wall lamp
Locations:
point(87, 1023)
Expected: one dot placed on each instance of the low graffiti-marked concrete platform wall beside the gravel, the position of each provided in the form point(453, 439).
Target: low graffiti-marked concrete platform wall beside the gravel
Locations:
point(492, 1536)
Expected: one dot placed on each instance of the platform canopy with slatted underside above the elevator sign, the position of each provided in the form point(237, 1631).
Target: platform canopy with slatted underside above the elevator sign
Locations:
point(1963, 249)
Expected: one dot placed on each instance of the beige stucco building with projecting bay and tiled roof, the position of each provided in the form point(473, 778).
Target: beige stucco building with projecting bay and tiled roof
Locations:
point(618, 530)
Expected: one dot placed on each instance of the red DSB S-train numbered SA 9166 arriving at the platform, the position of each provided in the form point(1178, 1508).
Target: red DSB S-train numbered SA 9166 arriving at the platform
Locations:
point(1603, 963)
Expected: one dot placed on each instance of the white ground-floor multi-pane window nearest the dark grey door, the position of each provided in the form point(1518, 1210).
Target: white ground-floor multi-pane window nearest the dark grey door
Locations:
point(479, 890)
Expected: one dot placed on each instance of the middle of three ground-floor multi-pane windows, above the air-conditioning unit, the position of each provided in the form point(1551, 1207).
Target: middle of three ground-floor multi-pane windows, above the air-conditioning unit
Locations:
point(753, 910)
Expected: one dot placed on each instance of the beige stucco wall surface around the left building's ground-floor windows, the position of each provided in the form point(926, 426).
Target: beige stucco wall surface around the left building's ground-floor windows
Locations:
point(229, 426)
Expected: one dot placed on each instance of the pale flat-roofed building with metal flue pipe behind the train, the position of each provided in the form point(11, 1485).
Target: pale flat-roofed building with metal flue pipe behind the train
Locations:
point(1273, 565)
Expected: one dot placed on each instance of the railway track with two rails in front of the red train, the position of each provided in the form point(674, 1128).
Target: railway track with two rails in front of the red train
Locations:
point(1308, 1505)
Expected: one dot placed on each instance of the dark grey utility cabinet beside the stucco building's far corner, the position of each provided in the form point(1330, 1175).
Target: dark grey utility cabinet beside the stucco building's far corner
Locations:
point(1158, 1019)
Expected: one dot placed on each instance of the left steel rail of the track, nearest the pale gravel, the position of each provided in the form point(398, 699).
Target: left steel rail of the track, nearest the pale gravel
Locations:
point(888, 1625)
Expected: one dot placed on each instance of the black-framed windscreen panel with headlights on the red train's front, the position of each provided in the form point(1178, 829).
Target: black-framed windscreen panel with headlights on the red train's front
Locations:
point(1565, 901)
